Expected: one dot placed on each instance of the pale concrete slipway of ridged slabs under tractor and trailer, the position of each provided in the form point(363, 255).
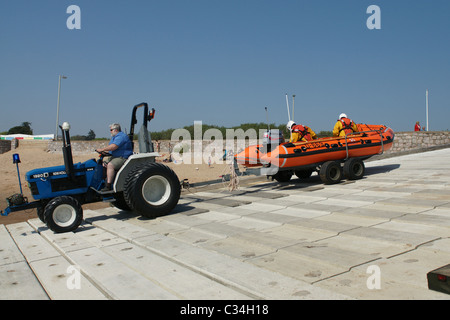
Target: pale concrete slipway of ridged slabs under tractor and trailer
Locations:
point(374, 238)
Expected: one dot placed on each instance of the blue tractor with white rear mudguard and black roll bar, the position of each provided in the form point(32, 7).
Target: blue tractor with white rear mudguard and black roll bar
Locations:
point(141, 185)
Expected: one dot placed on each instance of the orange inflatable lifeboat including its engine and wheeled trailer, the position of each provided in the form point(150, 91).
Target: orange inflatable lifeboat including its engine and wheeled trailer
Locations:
point(333, 157)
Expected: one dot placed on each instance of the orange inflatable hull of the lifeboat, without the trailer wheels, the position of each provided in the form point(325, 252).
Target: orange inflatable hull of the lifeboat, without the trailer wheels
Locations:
point(369, 141)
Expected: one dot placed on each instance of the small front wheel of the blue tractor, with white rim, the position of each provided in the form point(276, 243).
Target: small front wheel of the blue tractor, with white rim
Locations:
point(63, 214)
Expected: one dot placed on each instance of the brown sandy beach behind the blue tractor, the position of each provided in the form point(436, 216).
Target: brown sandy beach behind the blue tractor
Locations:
point(37, 156)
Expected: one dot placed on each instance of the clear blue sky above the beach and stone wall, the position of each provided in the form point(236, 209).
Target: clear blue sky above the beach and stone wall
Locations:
point(223, 61)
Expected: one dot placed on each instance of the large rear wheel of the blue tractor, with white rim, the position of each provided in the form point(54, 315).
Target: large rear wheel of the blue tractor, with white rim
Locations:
point(152, 190)
